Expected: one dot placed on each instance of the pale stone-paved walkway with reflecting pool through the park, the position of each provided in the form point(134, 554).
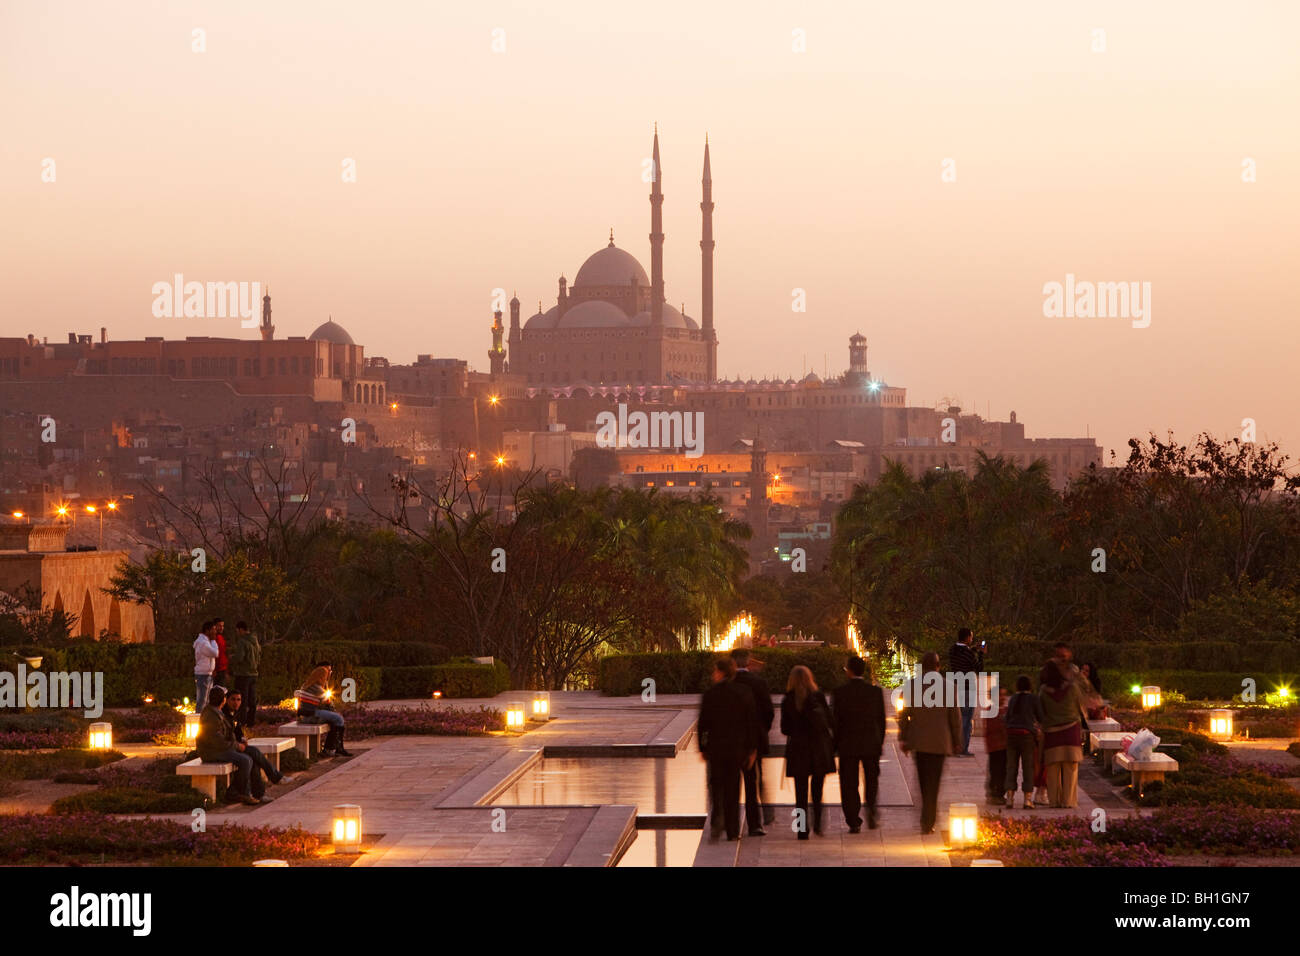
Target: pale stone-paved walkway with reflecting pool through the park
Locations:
point(465, 802)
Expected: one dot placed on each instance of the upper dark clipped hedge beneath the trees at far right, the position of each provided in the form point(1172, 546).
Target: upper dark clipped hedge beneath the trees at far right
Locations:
point(1201, 656)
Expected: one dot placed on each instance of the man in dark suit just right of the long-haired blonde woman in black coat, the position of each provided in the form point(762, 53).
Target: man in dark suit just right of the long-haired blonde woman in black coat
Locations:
point(859, 725)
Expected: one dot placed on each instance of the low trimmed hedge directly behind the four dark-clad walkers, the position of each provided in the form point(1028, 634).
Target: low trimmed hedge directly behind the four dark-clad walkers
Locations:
point(690, 672)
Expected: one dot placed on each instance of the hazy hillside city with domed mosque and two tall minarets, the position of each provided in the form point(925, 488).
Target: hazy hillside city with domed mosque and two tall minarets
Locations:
point(140, 419)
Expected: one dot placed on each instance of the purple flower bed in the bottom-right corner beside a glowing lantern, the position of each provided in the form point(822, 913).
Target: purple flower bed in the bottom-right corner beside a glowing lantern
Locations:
point(1139, 841)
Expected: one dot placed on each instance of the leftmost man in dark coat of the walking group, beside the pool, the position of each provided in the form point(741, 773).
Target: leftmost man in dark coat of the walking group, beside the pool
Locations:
point(729, 739)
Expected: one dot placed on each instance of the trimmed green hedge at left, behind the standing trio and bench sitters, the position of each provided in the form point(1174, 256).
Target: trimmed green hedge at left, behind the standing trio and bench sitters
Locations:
point(380, 671)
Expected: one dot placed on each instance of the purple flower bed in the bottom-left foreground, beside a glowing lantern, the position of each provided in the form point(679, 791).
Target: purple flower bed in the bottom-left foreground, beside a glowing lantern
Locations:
point(37, 840)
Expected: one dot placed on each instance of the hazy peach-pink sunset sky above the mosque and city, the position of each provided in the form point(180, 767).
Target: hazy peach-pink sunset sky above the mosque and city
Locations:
point(480, 170)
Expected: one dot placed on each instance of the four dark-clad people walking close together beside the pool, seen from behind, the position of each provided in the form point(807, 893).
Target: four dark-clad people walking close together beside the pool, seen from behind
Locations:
point(736, 717)
